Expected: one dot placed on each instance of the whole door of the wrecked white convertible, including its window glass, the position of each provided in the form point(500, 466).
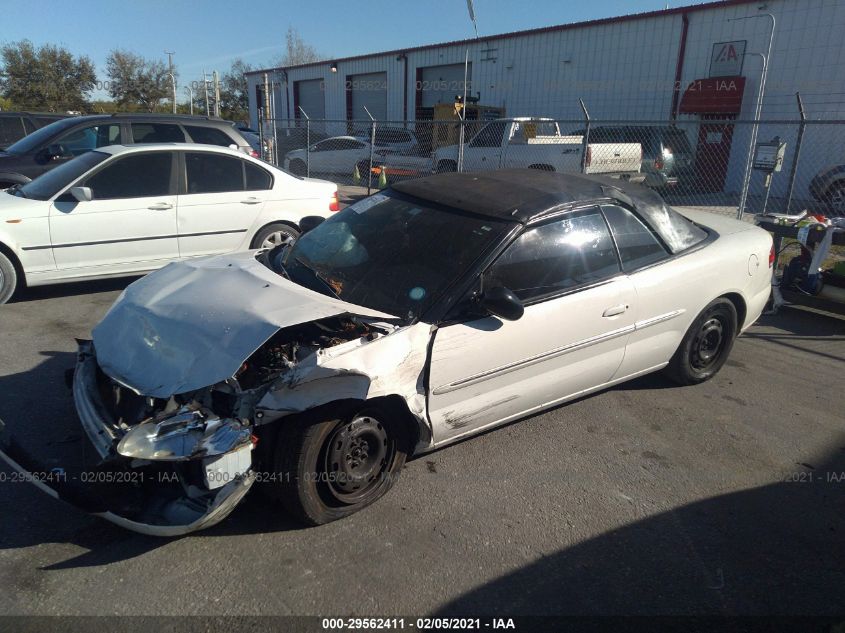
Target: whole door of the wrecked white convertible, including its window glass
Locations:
point(579, 312)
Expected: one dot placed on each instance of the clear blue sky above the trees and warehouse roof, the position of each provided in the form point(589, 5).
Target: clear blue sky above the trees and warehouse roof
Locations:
point(210, 33)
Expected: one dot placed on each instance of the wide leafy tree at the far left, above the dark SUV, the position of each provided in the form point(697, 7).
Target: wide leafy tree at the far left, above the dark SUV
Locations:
point(45, 78)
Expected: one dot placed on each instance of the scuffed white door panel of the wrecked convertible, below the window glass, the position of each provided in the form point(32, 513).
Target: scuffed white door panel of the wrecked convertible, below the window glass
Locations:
point(489, 371)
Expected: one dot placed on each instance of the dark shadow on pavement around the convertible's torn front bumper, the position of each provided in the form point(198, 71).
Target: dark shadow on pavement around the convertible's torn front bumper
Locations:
point(37, 409)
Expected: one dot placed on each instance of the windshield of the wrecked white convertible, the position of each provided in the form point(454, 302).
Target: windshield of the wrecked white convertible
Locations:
point(396, 255)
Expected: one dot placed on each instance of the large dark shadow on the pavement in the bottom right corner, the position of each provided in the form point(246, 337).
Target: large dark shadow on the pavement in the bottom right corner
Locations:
point(776, 549)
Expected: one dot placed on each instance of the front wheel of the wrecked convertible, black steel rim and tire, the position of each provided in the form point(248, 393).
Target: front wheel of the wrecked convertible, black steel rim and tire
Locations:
point(334, 467)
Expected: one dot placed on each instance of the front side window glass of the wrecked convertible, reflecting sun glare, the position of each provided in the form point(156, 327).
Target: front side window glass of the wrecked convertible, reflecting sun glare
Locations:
point(553, 257)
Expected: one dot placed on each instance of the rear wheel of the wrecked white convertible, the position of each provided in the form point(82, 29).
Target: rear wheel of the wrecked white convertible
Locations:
point(706, 345)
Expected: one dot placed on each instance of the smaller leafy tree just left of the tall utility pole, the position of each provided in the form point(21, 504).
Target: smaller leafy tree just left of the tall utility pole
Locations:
point(135, 82)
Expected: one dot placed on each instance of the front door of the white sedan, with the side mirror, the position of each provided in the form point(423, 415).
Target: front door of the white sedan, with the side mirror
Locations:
point(131, 217)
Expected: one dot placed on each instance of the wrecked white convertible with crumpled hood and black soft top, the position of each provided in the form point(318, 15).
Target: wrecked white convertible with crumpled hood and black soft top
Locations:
point(414, 318)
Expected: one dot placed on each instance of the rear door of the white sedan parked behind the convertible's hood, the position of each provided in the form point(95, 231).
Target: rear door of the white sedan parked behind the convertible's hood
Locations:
point(221, 197)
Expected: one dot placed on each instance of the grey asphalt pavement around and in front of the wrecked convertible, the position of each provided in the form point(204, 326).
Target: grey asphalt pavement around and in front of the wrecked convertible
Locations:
point(723, 498)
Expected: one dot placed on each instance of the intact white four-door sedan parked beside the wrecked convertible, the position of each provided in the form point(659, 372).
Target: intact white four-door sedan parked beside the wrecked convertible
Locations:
point(127, 210)
